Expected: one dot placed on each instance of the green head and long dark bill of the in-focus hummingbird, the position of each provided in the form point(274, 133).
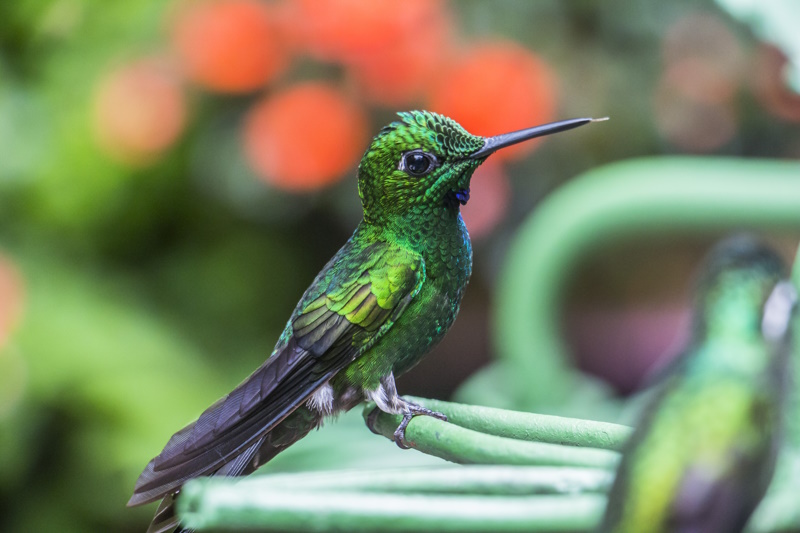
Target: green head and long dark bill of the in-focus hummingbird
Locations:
point(426, 160)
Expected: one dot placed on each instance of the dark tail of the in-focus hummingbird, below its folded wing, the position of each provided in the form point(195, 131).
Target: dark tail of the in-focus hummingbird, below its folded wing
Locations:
point(293, 428)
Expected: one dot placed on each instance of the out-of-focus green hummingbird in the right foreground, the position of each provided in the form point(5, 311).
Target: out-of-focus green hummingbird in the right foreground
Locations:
point(703, 454)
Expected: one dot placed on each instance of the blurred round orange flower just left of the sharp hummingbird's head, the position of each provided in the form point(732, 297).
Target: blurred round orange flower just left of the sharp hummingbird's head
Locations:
point(304, 137)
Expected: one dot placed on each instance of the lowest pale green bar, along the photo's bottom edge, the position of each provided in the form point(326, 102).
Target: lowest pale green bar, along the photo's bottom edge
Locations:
point(338, 510)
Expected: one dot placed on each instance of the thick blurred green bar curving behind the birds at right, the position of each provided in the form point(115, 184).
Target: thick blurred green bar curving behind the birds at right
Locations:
point(645, 196)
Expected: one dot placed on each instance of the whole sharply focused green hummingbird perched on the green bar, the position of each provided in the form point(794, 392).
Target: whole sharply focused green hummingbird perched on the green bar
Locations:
point(376, 308)
